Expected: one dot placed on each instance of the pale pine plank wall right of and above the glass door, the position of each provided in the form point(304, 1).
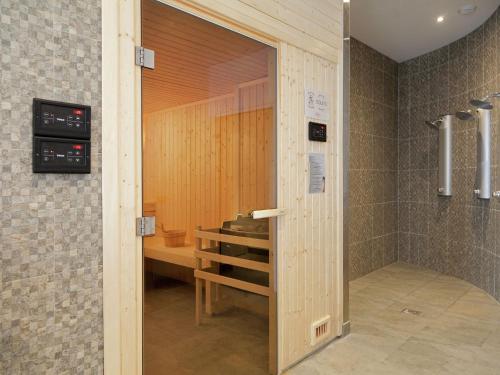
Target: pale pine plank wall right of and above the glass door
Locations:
point(309, 236)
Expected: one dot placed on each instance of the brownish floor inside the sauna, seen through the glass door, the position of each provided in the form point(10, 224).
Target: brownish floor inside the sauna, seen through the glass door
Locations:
point(232, 342)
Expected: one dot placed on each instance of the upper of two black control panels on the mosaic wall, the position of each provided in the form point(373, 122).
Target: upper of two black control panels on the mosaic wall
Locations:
point(59, 119)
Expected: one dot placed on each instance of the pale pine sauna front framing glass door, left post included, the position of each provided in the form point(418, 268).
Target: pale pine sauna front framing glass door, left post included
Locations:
point(303, 295)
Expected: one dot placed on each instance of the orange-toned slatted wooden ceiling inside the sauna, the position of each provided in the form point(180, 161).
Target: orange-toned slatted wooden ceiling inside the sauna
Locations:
point(195, 60)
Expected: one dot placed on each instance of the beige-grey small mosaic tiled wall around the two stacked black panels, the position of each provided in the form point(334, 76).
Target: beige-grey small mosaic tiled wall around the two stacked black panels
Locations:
point(50, 224)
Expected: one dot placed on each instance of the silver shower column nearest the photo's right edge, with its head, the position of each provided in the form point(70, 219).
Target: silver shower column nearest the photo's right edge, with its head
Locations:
point(483, 189)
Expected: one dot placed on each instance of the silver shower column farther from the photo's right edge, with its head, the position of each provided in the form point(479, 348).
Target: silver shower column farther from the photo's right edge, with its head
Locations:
point(445, 128)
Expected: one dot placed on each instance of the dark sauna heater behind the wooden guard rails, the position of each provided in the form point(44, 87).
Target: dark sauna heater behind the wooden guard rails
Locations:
point(245, 227)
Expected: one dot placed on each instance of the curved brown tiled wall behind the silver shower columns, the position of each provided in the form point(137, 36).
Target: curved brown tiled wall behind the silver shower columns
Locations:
point(460, 235)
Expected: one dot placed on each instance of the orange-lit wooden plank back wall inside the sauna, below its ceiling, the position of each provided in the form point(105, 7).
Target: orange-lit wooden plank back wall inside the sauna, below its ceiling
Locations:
point(207, 161)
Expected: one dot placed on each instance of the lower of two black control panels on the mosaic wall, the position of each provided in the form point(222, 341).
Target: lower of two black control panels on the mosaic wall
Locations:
point(57, 155)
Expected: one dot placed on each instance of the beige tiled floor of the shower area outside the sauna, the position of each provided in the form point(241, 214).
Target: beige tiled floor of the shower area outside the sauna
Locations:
point(409, 320)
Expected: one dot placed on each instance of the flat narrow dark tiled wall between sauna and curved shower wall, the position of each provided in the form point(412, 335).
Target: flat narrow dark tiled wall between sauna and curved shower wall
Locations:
point(373, 161)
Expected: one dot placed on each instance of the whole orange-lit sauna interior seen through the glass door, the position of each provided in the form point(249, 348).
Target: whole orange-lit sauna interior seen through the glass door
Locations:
point(208, 161)
